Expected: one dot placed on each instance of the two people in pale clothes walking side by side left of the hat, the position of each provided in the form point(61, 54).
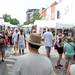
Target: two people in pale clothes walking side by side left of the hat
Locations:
point(19, 40)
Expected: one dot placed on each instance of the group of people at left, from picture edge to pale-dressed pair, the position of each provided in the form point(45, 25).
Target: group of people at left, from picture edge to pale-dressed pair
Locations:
point(14, 38)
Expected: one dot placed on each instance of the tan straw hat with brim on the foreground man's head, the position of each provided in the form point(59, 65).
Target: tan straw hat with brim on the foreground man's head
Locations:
point(34, 39)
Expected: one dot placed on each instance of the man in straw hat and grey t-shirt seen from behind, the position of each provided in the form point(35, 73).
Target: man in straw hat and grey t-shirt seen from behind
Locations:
point(33, 63)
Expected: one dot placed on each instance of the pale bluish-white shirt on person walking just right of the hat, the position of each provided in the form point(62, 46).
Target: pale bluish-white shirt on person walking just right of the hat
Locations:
point(48, 37)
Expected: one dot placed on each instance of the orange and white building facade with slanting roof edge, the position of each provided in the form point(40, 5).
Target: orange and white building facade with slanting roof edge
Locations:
point(50, 13)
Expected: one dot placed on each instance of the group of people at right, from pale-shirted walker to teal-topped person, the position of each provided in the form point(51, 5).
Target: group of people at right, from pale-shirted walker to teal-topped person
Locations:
point(63, 45)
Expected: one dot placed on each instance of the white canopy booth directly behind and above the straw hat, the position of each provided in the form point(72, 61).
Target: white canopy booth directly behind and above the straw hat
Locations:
point(44, 25)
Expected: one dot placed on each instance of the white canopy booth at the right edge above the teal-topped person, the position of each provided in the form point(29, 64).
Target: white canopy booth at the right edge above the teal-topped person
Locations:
point(65, 26)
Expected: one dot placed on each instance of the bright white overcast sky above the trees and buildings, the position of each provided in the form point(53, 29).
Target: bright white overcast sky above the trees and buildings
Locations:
point(17, 8)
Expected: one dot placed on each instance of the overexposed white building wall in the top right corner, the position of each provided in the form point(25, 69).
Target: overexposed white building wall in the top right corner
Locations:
point(66, 9)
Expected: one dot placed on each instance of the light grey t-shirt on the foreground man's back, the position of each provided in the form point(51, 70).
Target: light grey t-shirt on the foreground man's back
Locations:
point(33, 64)
